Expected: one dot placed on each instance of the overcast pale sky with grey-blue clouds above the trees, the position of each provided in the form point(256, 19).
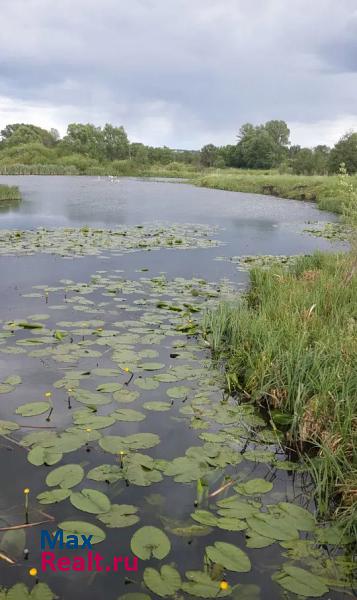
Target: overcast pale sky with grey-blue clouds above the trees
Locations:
point(181, 72)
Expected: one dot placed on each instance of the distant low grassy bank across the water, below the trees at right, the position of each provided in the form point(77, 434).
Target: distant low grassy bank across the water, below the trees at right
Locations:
point(325, 190)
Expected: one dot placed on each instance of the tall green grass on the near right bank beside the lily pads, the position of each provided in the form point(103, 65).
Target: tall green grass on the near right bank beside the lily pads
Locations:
point(290, 345)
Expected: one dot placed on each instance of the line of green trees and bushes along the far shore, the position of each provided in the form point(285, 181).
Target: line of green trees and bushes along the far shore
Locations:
point(84, 146)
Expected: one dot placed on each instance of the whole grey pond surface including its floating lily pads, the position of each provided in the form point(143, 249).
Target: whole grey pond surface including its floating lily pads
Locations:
point(102, 330)
